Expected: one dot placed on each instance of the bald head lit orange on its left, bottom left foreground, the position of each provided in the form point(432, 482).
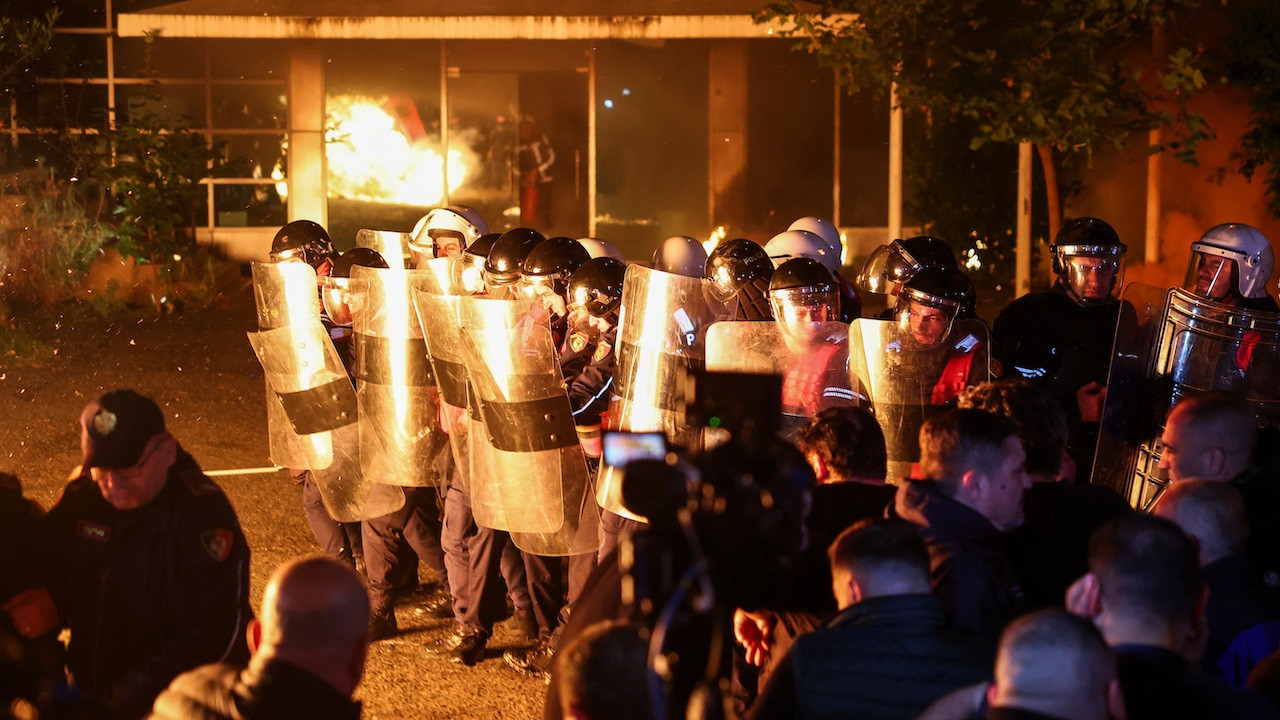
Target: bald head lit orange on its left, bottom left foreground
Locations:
point(316, 616)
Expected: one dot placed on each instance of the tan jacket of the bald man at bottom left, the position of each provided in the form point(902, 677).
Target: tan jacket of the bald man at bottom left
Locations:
point(272, 690)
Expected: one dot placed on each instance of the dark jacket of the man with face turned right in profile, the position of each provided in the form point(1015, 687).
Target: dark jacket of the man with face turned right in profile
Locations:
point(968, 564)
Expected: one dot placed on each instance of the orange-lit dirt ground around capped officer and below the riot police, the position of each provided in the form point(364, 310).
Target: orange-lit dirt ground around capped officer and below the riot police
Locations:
point(202, 371)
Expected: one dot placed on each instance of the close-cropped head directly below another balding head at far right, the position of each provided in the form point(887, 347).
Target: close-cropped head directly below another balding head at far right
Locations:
point(1213, 514)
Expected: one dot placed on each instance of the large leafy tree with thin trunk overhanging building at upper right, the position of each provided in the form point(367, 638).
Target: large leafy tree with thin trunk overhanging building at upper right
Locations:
point(1062, 75)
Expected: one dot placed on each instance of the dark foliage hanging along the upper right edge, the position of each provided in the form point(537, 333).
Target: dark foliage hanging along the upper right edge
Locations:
point(1255, 43)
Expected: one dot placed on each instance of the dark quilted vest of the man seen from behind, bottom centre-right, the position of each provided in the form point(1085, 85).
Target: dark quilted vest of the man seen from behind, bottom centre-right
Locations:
point(886, 658)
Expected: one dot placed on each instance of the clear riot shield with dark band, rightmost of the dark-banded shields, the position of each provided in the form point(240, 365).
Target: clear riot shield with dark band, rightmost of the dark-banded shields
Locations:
point(529, 473)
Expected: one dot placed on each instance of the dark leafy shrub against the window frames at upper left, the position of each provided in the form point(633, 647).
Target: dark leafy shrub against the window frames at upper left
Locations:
point(153, 168)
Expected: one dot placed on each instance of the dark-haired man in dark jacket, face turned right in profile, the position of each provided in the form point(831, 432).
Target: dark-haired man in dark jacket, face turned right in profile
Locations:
point(973, 493)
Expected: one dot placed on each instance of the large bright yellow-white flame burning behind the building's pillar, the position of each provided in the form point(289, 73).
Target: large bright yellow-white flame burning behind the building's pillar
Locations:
point(371, 157)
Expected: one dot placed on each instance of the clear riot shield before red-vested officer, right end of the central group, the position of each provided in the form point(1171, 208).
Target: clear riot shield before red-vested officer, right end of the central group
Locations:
point(909, 380)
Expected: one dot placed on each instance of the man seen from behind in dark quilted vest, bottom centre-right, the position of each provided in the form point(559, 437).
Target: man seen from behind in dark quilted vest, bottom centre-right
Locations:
point(890, 653)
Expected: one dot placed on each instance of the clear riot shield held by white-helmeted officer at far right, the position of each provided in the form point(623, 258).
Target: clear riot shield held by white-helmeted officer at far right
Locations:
point(1172, 344)
